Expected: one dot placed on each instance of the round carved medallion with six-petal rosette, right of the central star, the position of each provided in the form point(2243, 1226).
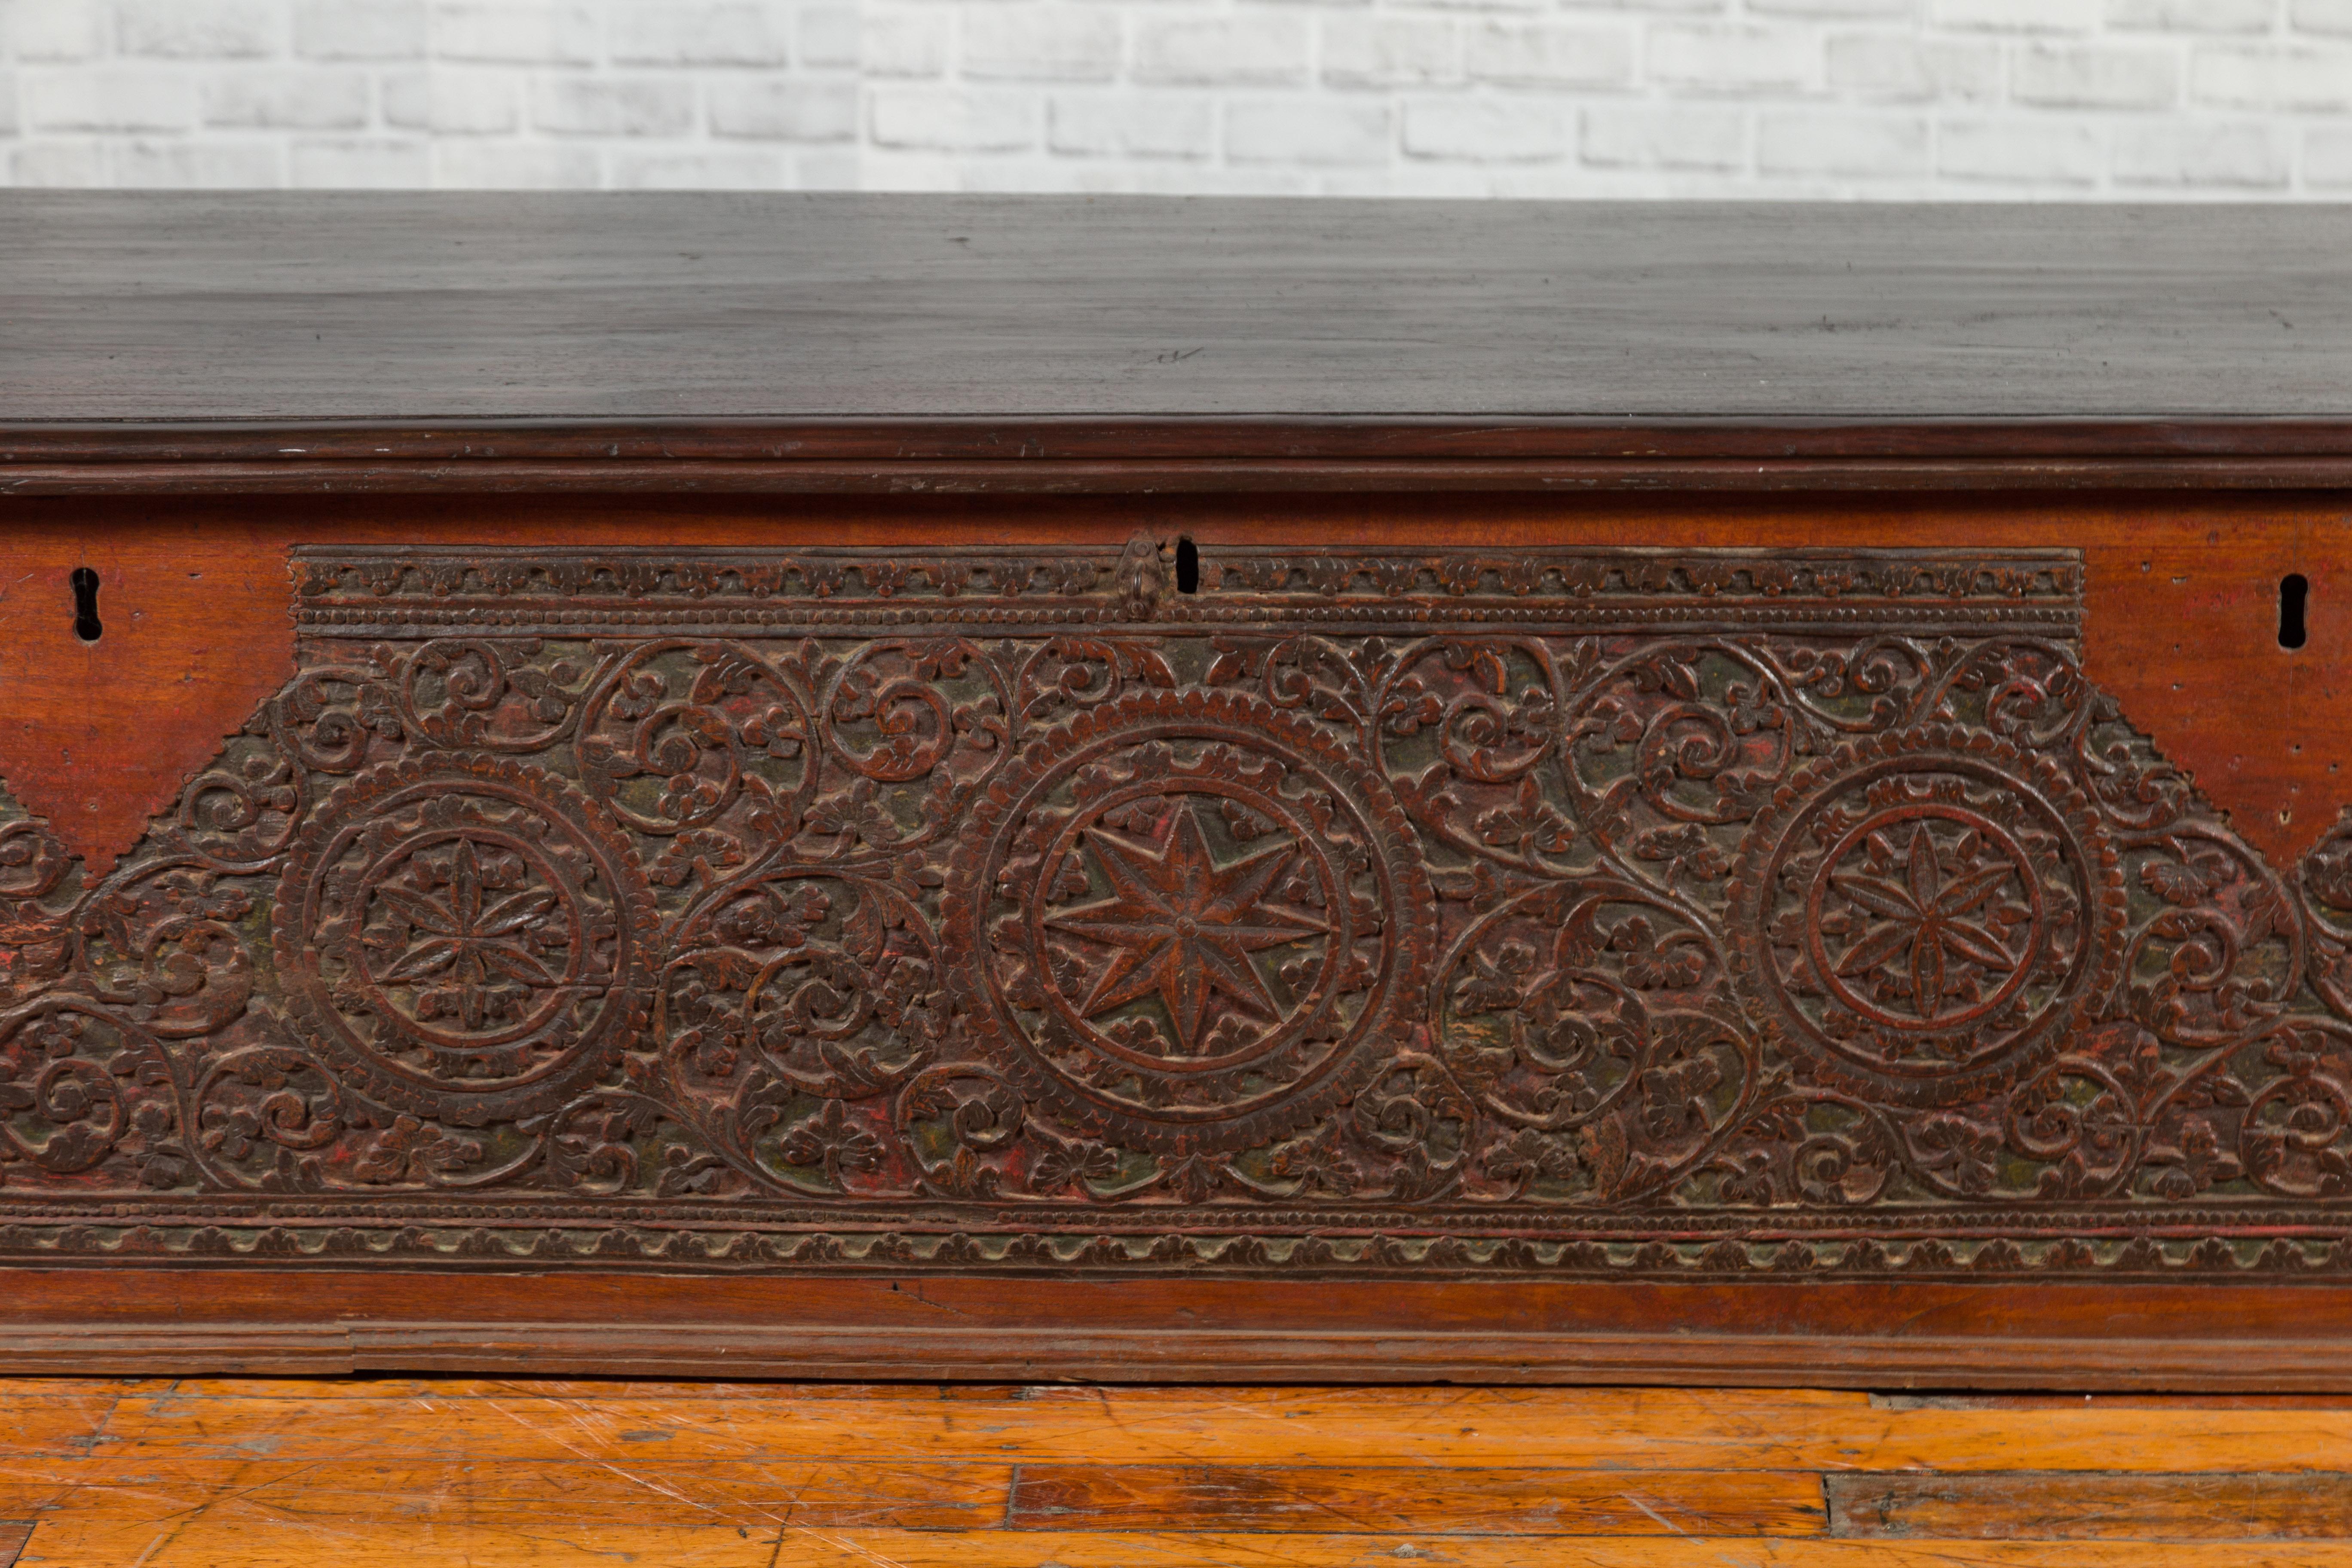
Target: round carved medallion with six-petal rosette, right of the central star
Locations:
point(1925, 918)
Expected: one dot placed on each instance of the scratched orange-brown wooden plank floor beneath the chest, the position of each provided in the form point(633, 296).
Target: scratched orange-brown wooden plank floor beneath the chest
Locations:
point(425, 1473)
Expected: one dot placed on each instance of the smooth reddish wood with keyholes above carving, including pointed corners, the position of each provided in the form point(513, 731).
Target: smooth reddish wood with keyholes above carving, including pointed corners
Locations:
point(2181, 596)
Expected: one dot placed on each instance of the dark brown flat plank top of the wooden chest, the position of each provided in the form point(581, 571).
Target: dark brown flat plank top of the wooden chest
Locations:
point(528, 309)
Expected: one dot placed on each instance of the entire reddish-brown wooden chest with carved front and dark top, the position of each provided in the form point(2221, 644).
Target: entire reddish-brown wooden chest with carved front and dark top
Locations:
point(1130, 791)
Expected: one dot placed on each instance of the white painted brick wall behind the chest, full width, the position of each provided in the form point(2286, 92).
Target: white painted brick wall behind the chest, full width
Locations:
point(1967, 100)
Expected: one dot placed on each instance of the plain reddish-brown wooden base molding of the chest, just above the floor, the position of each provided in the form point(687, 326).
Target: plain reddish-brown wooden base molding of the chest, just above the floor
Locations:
point(1751, 1334)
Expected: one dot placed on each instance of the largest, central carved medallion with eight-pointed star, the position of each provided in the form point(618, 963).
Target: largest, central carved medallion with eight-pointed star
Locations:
point(1189, 923)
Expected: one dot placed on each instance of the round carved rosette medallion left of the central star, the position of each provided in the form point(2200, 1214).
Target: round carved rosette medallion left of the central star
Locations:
point(467, 937)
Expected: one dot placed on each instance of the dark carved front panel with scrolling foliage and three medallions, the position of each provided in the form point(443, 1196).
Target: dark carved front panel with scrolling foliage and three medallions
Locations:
point(1631, 913)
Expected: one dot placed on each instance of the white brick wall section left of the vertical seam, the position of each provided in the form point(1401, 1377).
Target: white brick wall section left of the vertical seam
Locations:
point(432, 93)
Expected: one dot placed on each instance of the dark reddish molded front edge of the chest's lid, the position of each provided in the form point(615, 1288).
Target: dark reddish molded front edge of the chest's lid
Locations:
point(1074, 457)
